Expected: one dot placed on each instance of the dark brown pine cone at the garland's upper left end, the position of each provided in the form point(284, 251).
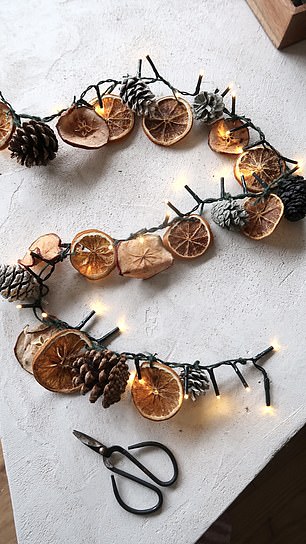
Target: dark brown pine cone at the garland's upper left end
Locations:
point(34, 143)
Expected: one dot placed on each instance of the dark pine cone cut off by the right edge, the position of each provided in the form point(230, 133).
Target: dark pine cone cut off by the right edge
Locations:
point(292, 192)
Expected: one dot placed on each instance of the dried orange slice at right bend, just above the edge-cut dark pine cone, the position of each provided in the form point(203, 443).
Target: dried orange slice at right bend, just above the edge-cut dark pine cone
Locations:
point(264, 162)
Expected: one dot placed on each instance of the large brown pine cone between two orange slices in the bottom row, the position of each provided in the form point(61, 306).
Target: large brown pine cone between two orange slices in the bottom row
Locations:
point(102, 373)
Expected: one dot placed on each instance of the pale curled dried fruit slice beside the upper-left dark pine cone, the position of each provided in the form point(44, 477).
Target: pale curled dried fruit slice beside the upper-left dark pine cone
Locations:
point(82, 127)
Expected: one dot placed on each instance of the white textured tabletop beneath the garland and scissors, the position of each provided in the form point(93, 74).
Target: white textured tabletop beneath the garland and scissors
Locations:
point(232, 302)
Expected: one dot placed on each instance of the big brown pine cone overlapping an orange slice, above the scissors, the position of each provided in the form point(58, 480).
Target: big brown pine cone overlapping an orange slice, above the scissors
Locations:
point(93, 372)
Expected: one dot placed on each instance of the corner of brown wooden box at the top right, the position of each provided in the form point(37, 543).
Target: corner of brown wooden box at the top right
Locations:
point(284, 23)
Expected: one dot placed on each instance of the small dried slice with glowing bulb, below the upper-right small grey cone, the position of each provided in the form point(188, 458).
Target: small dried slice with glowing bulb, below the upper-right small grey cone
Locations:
point(221, 140)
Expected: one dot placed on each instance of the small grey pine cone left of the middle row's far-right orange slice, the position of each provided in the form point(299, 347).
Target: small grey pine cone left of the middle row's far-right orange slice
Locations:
point(229, 213)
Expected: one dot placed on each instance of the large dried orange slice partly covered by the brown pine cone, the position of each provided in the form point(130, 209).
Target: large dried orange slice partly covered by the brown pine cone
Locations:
point(52, 363)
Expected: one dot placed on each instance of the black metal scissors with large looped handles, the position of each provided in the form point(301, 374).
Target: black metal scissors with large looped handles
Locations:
point(107, 453)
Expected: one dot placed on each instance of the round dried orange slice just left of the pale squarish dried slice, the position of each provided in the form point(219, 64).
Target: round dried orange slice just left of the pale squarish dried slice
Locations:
point(93, 254)
